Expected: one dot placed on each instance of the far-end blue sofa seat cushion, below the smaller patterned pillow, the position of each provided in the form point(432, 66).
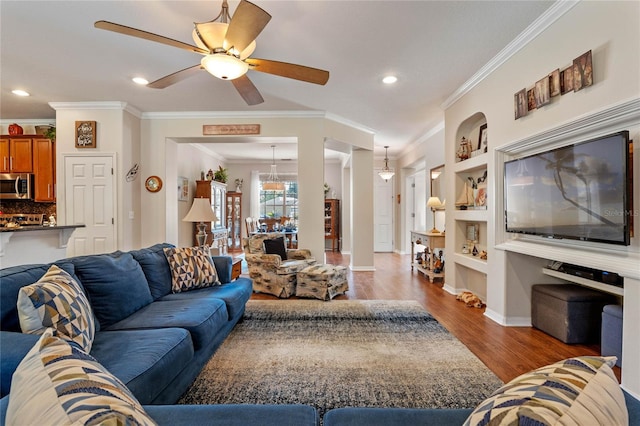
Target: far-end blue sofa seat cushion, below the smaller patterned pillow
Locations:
point(234, 294)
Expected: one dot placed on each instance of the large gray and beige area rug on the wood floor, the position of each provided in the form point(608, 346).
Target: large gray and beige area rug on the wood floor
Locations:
point(334, 354)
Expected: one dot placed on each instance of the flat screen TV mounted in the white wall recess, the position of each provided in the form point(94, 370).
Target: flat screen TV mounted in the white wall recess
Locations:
point(577, 192)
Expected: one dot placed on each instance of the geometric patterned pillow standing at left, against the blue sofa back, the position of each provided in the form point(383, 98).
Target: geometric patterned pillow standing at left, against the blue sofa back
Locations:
point(56, 300)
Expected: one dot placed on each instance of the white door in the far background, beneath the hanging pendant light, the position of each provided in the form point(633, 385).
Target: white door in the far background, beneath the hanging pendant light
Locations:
point(382, 214)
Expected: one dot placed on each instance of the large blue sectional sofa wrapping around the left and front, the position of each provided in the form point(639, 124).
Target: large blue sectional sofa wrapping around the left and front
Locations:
point(157, 341)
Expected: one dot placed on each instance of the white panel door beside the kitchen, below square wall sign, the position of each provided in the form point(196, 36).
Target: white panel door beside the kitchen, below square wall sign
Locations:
point(89, 200)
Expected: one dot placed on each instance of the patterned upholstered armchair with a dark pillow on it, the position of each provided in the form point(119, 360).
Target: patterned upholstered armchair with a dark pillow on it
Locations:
point(269, 272)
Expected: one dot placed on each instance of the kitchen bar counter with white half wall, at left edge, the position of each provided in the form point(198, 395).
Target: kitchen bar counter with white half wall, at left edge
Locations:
point(34, 244)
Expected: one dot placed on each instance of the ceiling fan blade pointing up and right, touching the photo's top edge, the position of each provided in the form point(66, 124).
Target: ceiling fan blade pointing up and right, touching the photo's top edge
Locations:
point(247, 22)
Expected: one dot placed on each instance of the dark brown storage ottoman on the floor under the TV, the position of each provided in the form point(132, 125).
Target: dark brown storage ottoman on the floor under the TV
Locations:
point(570, 313)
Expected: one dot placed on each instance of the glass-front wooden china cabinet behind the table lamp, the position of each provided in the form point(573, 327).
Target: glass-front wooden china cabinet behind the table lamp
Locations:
point(217, 232)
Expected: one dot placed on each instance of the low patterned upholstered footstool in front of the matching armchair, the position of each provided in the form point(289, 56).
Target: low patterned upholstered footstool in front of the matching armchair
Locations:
point(322, 281)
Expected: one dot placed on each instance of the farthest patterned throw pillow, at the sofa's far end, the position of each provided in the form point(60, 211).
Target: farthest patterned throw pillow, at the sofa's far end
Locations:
point(191, 268)
